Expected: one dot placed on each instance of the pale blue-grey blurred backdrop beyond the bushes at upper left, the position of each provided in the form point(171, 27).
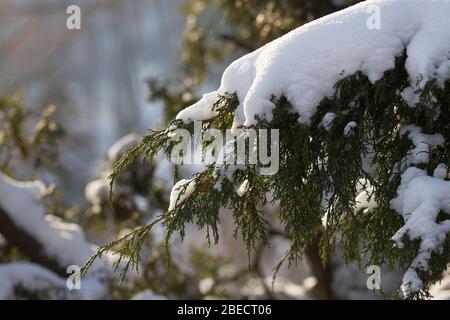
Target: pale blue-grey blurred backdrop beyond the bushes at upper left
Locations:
point(95, 76)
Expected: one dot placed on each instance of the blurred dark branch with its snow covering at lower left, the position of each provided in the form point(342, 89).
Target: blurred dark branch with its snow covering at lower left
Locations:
point(45, 239)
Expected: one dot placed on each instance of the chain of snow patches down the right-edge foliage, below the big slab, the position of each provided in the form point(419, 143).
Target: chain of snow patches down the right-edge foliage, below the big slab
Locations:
point(419, 200)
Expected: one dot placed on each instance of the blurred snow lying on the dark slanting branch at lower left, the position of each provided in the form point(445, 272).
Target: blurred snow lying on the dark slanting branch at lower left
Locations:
point(64, 242)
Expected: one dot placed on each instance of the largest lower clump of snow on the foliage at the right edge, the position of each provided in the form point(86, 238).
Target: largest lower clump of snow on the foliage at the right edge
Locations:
point(419, 200)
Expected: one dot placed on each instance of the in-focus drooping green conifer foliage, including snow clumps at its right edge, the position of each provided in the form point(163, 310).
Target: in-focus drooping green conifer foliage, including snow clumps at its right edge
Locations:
point(353, 177)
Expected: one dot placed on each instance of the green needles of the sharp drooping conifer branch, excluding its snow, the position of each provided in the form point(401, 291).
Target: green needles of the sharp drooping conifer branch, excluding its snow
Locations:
point(316, 185)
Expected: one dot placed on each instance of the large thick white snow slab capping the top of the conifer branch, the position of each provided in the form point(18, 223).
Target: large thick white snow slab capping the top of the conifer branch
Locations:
point(305, 64)
